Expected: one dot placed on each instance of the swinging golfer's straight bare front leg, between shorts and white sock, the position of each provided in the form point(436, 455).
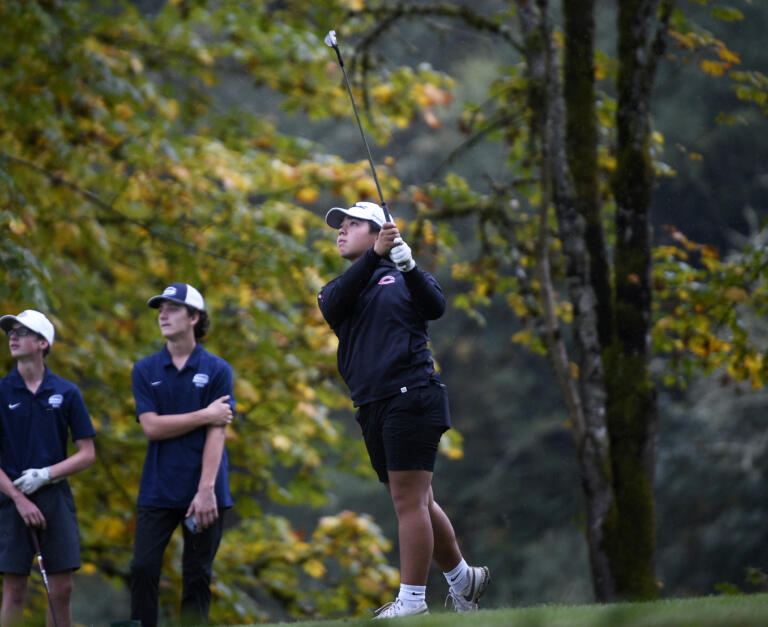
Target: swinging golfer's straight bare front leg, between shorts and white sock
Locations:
point(411, 493)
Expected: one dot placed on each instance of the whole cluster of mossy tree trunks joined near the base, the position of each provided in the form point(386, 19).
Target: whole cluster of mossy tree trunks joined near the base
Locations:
point(613, 408)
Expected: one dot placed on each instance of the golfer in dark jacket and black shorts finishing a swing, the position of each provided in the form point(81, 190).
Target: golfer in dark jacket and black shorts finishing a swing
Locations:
point(379, 311)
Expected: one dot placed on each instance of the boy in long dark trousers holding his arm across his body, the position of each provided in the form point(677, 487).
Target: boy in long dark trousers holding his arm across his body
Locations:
point(184, 401)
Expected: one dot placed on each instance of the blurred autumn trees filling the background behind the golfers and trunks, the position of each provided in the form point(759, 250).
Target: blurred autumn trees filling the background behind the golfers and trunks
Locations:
point(147, 142)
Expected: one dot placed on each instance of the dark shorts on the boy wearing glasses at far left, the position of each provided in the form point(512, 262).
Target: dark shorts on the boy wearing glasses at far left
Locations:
point(59, 541)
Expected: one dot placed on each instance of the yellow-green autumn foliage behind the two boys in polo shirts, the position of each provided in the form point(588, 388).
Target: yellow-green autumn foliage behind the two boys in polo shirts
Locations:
point(121, 172)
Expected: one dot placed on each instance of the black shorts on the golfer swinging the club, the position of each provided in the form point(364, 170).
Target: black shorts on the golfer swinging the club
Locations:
point(403, 432)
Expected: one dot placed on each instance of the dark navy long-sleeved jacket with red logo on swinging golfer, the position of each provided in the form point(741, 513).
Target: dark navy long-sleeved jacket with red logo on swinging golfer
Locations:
point(380, 317)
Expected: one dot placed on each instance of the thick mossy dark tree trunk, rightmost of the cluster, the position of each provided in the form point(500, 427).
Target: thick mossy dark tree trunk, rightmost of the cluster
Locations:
point(631, 407)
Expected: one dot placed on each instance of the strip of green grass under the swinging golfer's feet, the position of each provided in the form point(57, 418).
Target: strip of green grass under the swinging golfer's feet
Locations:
point(721, 611)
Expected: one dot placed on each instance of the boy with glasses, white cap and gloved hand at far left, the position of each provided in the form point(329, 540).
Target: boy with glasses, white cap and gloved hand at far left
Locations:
point(38, 410)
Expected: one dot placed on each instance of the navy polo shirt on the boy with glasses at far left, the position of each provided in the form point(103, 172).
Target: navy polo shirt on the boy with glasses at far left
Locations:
point(34, 428)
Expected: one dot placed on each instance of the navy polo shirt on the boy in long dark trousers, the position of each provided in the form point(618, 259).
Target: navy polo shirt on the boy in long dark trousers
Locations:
point(172, 467)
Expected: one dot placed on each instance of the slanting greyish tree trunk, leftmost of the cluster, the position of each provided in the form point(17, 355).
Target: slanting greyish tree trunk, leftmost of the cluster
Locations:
point(587, 410)
